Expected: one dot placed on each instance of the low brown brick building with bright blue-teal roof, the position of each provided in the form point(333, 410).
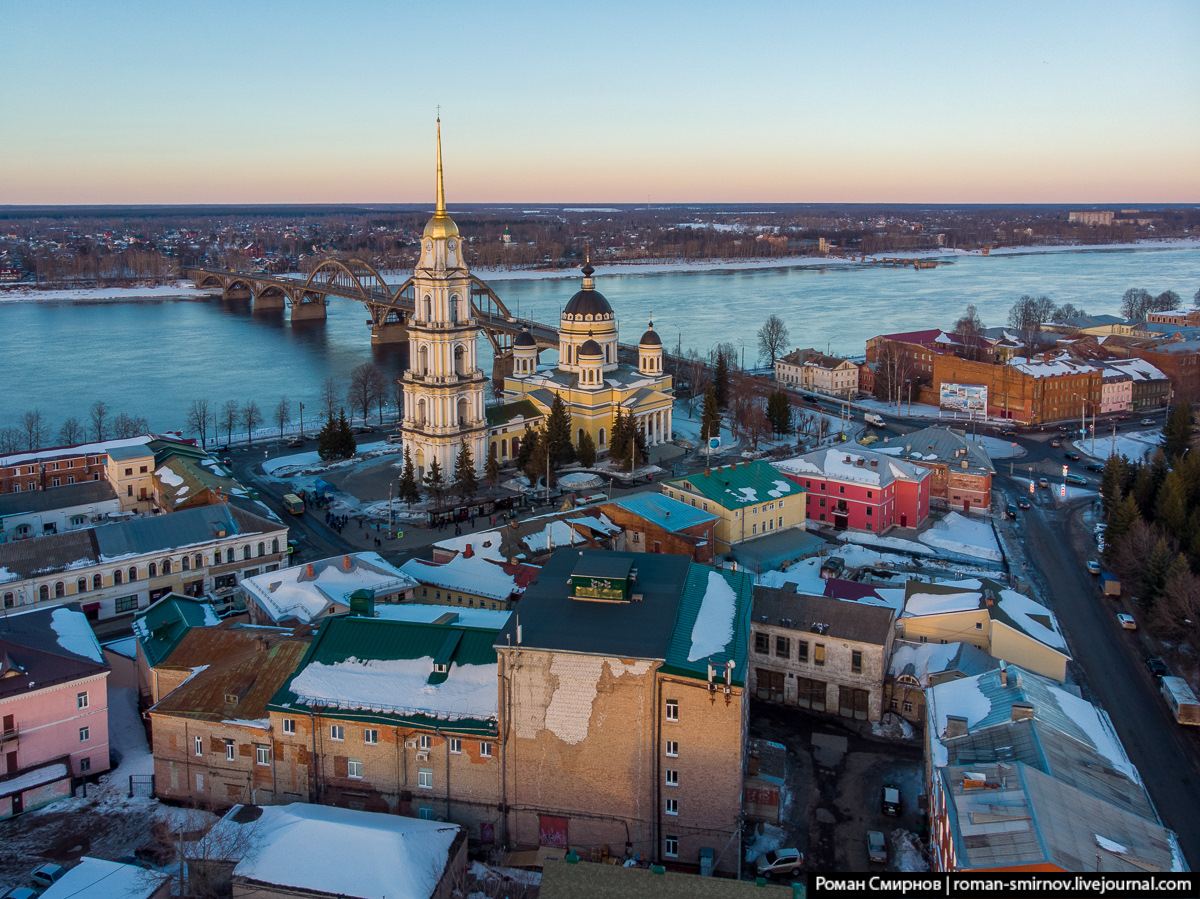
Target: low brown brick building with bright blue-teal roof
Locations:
point(655, 523)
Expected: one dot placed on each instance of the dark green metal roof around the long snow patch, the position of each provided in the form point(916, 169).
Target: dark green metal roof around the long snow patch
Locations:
point(341, 639)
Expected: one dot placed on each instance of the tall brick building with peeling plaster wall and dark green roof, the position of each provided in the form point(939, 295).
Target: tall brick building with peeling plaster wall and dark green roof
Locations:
point(626, 679)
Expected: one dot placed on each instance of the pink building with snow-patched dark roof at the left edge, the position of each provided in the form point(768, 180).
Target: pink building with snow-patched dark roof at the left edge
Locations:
point(53, 694)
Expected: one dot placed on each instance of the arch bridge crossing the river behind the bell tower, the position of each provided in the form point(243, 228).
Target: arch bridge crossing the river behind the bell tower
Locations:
point(389, 309)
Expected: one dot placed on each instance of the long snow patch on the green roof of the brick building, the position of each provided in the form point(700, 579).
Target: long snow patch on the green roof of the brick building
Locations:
point(400, 687)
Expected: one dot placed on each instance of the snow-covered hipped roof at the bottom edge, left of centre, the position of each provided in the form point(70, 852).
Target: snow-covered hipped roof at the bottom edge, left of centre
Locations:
point(335, 852)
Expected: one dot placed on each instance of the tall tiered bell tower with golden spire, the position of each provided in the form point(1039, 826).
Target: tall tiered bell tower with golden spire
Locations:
point(445, 385)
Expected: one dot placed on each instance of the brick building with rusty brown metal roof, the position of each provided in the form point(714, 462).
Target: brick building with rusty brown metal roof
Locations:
point(212, 735)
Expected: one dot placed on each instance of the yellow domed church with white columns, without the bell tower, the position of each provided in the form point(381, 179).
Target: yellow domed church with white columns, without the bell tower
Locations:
point(589, 377)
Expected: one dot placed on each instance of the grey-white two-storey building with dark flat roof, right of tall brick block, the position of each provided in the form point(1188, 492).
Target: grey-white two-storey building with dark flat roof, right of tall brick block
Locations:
point(820, 654)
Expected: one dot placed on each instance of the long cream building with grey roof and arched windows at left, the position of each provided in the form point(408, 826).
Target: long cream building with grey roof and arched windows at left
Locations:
point(121, 568)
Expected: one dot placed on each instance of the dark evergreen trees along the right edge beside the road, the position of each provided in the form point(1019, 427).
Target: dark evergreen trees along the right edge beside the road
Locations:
point(1154, 529)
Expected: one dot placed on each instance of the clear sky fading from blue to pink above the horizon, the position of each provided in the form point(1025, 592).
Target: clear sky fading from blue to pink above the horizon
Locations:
point(147, 103)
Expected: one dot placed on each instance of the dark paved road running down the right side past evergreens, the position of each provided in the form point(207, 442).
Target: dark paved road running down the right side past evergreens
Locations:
point(1112, 661)
